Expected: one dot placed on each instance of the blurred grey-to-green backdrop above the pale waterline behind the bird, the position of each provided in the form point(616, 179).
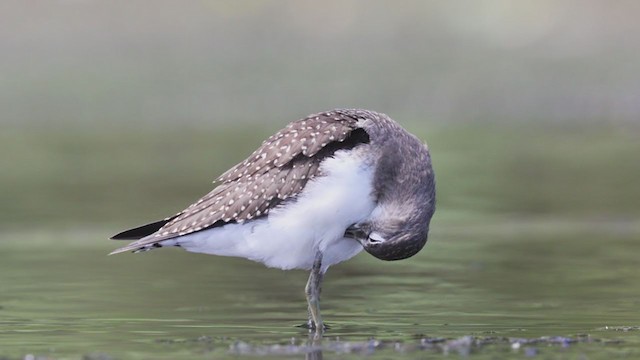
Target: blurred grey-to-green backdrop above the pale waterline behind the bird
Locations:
point(120, 111)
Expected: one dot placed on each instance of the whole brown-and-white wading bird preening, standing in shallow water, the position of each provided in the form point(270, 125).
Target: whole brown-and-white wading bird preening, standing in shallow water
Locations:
point(314, 194)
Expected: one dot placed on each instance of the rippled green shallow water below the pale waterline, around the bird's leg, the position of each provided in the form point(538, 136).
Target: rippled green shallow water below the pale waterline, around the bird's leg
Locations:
point(62, 297)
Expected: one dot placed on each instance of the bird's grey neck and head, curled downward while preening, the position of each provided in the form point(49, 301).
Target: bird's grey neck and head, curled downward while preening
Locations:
point(404, 186)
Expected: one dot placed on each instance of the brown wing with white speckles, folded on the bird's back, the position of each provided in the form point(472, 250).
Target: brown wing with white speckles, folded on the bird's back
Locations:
point(277, 170)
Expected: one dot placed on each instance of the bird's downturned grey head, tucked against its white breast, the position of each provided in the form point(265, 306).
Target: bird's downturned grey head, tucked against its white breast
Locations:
point(392, 238)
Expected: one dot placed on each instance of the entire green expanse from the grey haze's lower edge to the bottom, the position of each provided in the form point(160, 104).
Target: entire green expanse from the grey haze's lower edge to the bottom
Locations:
point(533, 252)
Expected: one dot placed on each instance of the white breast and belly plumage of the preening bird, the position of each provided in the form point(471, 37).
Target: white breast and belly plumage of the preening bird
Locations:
point(290, 236)
